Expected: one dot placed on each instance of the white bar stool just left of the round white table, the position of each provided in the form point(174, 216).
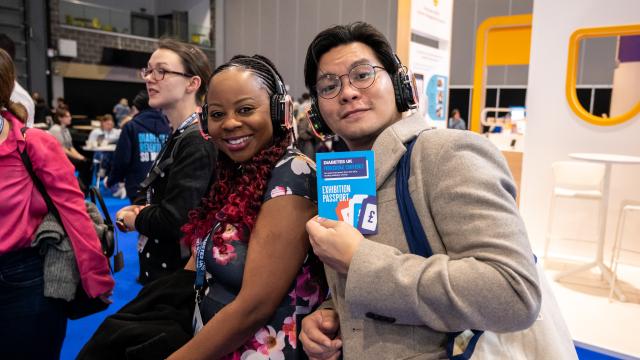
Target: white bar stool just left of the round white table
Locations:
point(577, 180)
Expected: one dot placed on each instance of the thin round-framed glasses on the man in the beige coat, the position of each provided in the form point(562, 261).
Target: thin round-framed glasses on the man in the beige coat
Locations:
point(361, 77)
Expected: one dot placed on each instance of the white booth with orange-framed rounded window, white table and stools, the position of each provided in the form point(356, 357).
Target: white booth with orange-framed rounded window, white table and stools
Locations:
point(558, 127)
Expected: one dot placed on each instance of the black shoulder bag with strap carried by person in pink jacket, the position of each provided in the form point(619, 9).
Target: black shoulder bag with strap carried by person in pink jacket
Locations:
point(82, 305)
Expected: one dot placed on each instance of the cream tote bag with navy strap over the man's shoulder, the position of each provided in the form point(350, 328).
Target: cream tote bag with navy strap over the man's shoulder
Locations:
point(547, 338)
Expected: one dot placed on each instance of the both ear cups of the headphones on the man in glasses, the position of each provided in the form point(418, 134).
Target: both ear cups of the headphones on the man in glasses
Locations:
point(404, 88)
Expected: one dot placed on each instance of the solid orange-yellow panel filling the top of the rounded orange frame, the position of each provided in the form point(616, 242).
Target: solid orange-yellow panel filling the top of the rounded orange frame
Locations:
point(509, 46)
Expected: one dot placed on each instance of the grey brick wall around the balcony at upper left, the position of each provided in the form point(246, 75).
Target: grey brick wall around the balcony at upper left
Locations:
point(90, 43)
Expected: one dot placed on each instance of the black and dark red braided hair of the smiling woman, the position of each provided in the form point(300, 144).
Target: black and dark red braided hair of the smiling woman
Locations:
point(236, 196)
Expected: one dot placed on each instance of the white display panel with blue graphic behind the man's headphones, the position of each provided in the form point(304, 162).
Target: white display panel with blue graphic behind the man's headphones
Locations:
point(430, 56)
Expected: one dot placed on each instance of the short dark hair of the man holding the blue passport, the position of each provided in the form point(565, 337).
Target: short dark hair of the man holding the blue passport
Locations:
point(343, 35)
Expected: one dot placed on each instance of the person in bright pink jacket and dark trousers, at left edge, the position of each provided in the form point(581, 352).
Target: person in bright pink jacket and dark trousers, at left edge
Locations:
point(34, 326)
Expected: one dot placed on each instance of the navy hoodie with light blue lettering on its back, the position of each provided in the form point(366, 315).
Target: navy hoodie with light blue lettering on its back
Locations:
point(140, 142)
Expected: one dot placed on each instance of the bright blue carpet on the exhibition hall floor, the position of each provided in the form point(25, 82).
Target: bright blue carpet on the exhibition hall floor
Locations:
point(79, 331)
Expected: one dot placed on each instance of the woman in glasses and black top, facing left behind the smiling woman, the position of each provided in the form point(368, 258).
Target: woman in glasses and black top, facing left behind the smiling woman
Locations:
point(184, 169)
